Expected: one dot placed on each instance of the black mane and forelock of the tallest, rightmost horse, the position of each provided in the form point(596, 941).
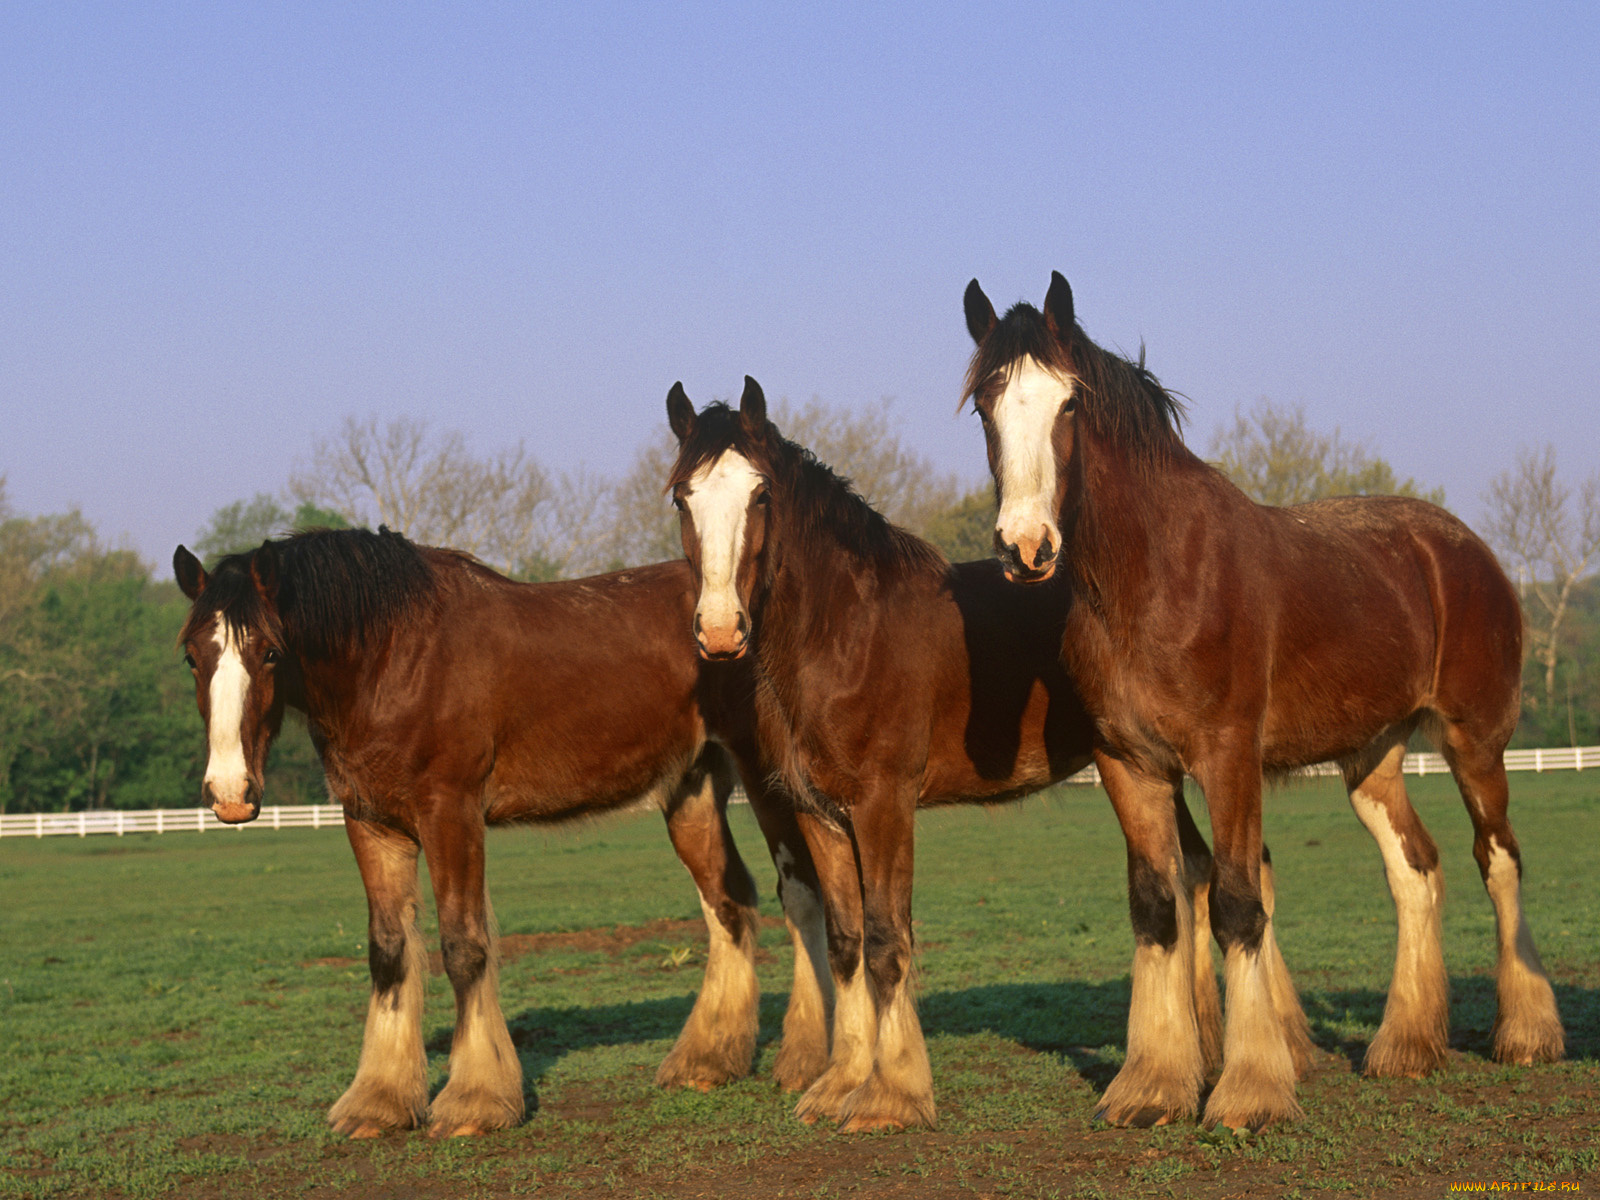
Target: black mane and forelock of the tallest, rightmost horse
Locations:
point(1119, 401)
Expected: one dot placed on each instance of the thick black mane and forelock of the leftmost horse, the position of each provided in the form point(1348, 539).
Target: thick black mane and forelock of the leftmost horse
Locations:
point(337, 590)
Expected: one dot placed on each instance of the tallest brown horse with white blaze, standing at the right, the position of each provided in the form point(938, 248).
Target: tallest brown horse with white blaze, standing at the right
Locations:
point(1225, 639)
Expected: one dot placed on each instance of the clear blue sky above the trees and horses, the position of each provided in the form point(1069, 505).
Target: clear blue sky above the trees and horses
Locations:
point(225, 228)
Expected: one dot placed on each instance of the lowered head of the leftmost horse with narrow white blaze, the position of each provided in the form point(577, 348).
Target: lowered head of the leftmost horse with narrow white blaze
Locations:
point(234, 647)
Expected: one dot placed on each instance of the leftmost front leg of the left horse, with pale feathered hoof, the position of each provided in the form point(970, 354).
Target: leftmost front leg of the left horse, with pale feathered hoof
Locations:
point(390, 1090)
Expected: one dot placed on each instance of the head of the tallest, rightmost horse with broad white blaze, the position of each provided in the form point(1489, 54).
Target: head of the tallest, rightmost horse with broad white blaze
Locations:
point(1025, 388)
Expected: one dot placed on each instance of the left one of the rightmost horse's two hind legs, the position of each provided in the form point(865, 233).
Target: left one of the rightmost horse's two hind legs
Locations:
point(1415, 1033)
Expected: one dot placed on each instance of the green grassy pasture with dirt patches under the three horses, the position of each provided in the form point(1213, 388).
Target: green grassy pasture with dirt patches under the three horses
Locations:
point(178, 1014)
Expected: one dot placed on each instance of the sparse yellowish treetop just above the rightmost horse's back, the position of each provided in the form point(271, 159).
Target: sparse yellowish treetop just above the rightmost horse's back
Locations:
point(1276, 460)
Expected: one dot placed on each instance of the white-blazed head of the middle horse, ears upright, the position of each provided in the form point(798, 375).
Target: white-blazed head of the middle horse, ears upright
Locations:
point(722, 497)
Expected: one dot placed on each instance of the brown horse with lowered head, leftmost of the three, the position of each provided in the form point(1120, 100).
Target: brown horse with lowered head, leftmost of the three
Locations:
point(444, 698)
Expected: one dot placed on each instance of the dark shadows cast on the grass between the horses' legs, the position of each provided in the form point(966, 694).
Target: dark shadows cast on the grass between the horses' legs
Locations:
point(1074, 1020)
